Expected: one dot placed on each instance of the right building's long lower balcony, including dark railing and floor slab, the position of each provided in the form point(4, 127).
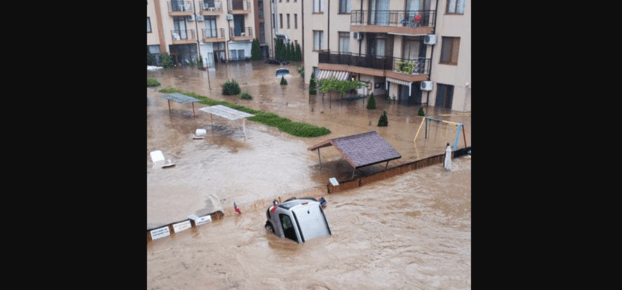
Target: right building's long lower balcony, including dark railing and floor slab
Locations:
point(410, 70)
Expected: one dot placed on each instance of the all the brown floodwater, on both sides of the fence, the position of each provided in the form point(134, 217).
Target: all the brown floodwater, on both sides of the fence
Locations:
point(411, 231)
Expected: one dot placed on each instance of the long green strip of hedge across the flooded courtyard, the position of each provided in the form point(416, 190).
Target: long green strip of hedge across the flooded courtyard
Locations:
point(298, 129)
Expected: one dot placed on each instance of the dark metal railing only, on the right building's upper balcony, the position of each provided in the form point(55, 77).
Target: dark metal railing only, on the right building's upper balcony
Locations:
point(407, 18)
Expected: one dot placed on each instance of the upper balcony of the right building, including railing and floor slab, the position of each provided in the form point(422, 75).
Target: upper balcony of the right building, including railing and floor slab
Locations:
point(393, 21)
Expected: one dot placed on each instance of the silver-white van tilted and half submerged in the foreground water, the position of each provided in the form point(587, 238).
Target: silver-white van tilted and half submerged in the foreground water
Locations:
point(297, 219)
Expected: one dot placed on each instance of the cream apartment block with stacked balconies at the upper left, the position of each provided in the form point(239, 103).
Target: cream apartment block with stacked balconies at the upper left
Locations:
point(217, 31)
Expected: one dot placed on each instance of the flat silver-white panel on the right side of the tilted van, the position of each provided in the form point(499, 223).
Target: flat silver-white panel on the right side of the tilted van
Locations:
point(311, 221)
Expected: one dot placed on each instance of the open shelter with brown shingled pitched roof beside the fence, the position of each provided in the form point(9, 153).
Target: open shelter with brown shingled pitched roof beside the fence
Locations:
point(360, 150)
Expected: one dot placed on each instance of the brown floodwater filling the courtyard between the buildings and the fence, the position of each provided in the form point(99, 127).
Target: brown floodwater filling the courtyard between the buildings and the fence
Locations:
point(224, 166)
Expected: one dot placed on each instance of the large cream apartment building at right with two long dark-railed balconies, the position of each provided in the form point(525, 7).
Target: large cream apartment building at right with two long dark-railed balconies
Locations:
point(413, 51)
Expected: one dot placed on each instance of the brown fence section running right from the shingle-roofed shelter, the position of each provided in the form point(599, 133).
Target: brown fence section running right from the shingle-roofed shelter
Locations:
point(397, 170)
